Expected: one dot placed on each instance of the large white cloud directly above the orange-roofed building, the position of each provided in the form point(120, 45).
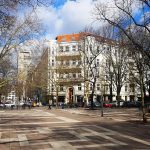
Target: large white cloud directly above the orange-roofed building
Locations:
point(72, 17)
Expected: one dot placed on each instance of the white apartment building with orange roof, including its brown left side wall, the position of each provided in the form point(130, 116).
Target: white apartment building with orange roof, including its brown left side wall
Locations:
point(75, 66)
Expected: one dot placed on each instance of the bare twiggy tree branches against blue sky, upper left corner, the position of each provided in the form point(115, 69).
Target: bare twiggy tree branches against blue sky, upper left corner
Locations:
point(15, 30)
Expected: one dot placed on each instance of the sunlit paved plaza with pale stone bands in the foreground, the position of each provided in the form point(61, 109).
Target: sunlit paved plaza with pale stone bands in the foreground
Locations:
point(57, 129)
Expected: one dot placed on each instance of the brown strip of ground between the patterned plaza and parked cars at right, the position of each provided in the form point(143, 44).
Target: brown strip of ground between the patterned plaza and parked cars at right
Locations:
point(117, 114)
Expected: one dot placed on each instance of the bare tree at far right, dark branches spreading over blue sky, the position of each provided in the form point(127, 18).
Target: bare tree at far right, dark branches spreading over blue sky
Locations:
point(136, 32)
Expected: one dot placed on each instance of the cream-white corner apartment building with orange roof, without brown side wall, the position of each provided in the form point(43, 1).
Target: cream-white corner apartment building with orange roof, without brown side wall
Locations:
point(74, 60)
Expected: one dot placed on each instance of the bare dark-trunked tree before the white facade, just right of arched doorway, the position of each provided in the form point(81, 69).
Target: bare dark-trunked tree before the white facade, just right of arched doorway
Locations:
point(91, 49)
